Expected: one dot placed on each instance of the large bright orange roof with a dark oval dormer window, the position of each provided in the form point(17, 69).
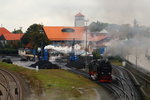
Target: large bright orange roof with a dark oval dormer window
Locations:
point(56, 33)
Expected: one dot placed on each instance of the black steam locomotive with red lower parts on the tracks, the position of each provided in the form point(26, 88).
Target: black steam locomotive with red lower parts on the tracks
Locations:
point(100, 70)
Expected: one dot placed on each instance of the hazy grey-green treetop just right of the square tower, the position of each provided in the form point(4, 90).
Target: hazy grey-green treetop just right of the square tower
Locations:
point(97, 26)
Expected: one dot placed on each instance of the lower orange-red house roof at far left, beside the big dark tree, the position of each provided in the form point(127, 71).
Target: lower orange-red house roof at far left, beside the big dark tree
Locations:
point(12, 36)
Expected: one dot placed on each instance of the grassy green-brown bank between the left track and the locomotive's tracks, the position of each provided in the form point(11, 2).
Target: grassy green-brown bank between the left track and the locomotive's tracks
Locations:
point(57, 83)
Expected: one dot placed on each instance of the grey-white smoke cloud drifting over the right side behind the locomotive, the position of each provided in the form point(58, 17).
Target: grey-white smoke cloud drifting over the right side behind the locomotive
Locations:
point(133, 48)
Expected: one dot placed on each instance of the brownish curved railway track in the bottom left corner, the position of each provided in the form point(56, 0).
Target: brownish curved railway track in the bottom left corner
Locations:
point(10, 87)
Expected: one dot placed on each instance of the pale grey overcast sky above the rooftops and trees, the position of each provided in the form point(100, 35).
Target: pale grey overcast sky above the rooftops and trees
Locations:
point(23, 13)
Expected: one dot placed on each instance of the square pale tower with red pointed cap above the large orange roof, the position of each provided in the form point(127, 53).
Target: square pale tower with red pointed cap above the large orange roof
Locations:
point(79, 20)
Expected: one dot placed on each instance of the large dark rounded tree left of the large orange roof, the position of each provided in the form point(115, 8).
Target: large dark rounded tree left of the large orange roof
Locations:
point(35, 36)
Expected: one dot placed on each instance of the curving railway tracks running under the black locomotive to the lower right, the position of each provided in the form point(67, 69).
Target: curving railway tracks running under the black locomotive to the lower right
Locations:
point(121, 89)
